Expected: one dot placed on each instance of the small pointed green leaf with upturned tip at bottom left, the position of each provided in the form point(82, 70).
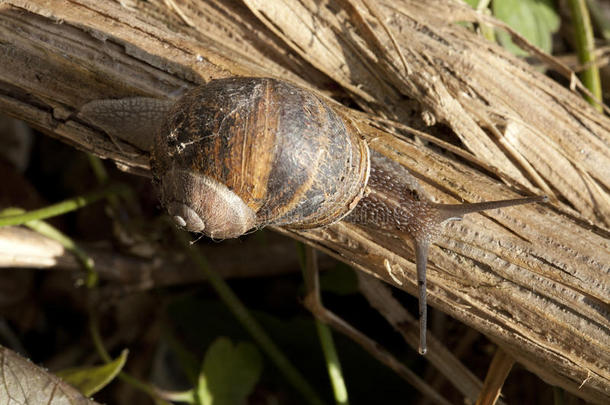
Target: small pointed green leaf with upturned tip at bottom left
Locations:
point(90, 380)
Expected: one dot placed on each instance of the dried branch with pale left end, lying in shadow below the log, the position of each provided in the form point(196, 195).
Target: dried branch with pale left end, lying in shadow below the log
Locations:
point(23, 248)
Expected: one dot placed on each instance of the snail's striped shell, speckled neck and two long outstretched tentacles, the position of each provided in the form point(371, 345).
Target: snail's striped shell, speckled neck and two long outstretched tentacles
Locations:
point(242, 153)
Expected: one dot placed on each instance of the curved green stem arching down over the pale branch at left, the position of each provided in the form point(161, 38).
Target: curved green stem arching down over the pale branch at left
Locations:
point(51, 232)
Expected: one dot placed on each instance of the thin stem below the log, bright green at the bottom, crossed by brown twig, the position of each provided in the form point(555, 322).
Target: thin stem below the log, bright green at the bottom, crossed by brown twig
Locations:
point(309, 266)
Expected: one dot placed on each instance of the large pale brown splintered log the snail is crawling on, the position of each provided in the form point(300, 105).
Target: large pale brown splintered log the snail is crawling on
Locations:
point(535, 279)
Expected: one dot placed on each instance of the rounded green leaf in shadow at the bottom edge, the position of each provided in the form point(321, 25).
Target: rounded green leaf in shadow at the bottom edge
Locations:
point(229, 373)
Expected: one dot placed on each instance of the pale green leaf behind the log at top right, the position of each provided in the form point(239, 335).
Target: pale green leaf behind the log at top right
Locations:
point(536, 20)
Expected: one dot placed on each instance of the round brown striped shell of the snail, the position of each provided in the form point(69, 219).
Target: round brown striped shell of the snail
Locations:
point(243, 153)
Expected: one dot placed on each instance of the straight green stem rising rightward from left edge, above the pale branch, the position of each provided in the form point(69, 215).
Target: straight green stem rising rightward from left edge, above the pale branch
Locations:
point(64, 207)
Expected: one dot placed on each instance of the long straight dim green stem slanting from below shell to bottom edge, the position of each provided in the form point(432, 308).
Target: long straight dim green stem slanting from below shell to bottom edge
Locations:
point(249, 323)
